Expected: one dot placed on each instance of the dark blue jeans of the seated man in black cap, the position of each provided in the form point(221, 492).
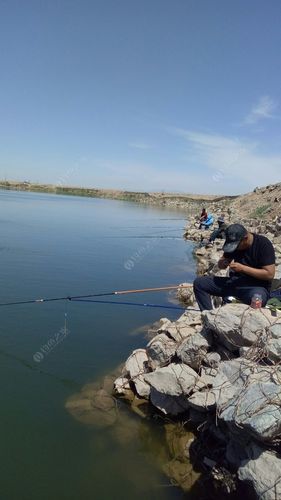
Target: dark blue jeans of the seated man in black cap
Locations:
point(240, 288)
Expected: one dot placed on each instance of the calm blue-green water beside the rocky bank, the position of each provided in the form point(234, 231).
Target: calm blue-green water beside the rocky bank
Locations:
point(55, 246)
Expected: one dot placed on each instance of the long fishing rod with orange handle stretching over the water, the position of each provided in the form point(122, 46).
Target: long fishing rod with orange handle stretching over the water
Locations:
point(104, 294)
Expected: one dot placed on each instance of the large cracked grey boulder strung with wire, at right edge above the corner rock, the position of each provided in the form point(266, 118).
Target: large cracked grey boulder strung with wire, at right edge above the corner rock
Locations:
point(255, 406)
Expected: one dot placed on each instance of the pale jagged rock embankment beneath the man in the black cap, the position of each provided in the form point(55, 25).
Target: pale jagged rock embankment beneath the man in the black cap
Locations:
point(220, 372)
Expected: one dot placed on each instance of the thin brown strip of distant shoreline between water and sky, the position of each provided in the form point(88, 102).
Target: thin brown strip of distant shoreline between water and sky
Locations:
point(164, 199)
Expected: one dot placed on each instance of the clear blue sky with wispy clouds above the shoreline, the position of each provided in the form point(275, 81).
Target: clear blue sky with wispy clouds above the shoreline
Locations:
point(152, 95)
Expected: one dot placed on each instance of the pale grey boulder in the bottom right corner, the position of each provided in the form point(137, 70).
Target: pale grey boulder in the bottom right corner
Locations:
point(263, 470)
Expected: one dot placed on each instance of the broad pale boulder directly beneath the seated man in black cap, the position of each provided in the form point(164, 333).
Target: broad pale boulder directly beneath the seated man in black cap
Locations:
point(238, 325)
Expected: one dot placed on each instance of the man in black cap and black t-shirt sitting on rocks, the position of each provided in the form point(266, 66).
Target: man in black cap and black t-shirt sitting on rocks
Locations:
point(251, 261)
